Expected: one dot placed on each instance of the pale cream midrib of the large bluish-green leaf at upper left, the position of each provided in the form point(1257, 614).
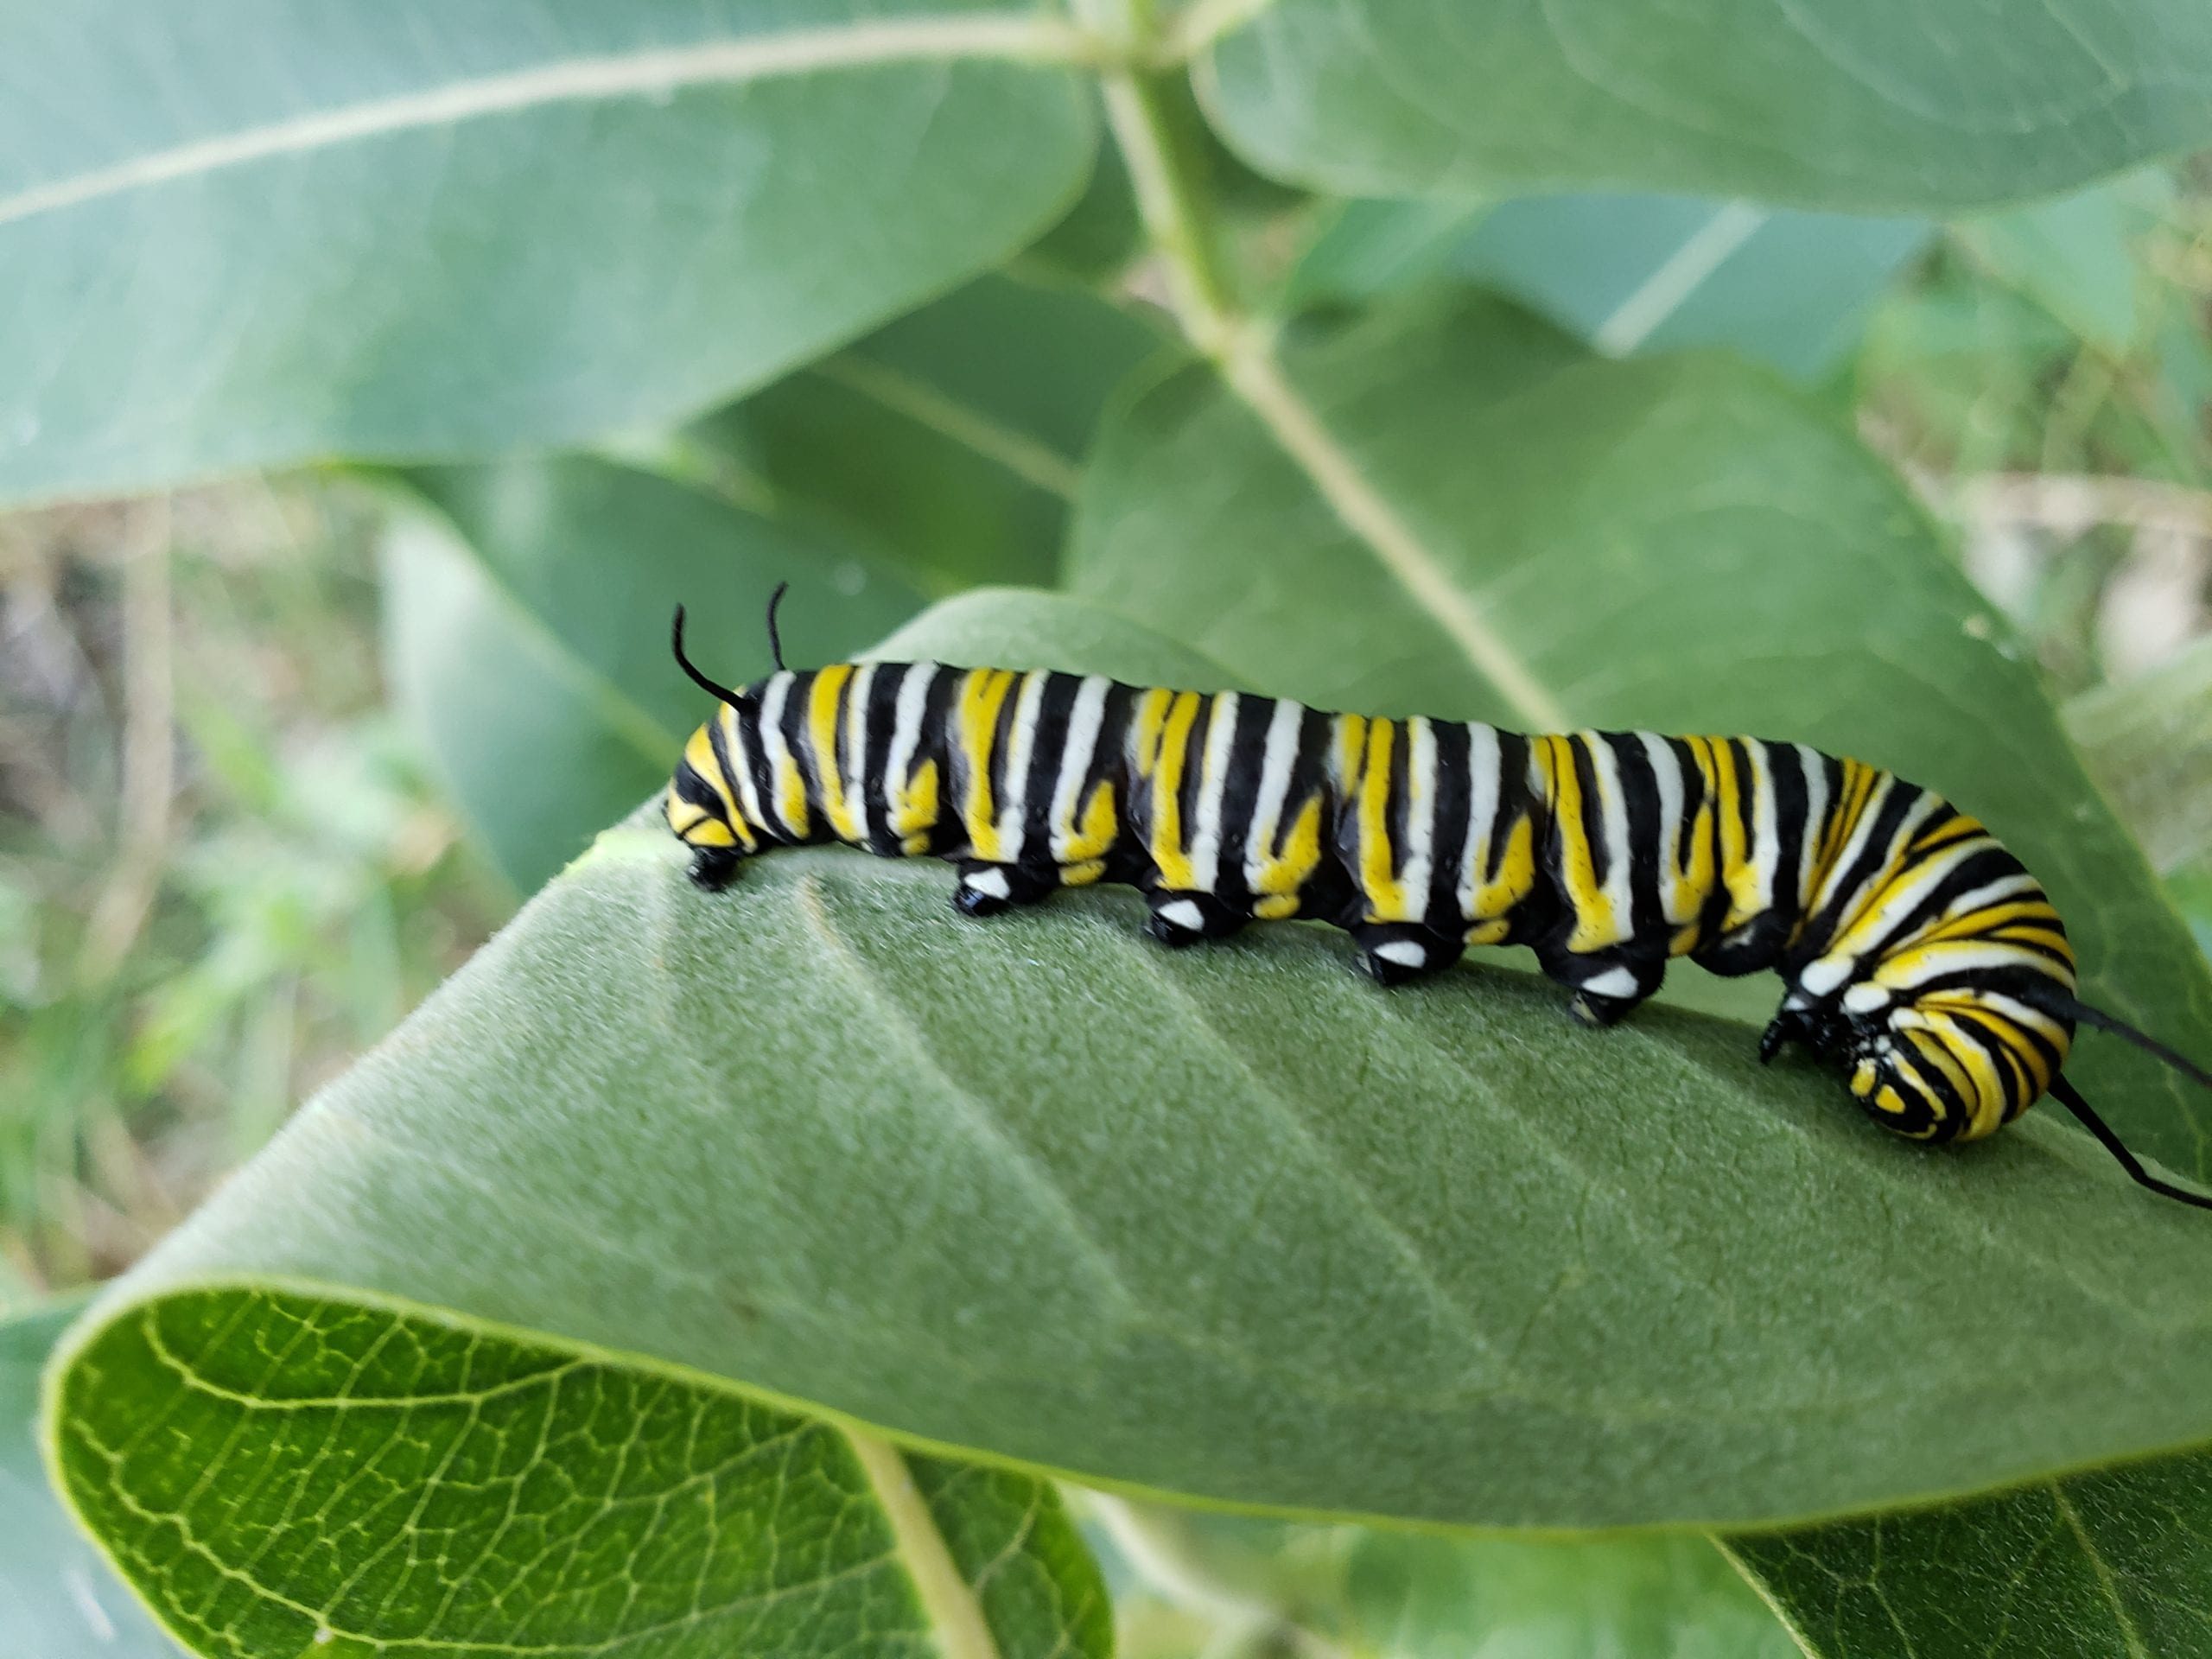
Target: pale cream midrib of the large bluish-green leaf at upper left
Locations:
point(638, 74)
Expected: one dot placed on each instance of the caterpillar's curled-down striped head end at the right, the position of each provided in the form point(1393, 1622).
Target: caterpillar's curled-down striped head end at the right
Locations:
point(1952, 1063)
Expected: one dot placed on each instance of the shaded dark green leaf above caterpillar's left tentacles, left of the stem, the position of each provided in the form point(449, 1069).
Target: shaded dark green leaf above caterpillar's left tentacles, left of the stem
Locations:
point(952, 439)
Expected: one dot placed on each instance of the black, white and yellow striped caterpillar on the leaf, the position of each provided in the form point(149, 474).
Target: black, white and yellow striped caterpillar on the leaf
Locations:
point(1917, 952)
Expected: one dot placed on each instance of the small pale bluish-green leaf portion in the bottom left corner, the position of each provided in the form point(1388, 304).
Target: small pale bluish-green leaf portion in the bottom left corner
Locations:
point(59, 1598)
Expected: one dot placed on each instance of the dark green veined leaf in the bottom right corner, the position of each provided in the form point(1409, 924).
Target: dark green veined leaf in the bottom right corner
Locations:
point(2100, 1565)
